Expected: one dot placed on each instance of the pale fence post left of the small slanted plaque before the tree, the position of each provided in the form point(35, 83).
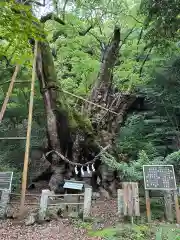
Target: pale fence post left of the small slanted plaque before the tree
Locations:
point(44, 204)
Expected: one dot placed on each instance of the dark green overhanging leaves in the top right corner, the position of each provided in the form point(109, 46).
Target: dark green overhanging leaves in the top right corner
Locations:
point(162, 19)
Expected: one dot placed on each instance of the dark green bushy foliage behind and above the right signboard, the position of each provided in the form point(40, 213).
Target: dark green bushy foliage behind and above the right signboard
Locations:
point(152, 136)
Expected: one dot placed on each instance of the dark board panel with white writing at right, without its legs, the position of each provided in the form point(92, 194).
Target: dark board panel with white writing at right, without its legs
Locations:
point(159, 177)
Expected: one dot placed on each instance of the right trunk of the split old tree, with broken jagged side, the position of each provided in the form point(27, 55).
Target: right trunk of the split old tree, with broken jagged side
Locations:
point(107, 123)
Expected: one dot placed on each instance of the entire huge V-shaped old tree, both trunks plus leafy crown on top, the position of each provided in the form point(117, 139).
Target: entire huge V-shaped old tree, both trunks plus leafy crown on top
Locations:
point(96, 124)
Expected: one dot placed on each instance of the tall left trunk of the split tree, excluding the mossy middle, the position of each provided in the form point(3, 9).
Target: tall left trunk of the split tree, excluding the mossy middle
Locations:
point(58, 132)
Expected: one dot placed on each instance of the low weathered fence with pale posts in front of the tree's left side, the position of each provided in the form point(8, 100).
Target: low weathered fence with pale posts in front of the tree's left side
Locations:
point(47, 200)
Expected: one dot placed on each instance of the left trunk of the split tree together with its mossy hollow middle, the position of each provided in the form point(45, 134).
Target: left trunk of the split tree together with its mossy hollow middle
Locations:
point(78, 145)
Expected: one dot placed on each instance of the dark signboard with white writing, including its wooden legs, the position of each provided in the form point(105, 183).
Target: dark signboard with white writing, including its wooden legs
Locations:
point(162, 178)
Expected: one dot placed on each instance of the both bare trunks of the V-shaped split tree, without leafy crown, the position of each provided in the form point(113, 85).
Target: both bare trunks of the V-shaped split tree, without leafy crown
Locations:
point(80, 145)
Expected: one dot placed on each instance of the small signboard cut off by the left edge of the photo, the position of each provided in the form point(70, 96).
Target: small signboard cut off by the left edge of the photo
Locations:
point(6, 180)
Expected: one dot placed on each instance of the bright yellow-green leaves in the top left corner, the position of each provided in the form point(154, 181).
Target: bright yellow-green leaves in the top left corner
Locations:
point(17, 27)
